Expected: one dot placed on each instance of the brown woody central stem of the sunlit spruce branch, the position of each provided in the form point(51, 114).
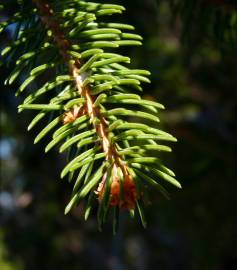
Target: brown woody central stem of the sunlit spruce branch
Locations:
point(48, 18)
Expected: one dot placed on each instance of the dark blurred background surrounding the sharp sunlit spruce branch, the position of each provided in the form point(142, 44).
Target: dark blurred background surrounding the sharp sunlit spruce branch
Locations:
point(191, 49)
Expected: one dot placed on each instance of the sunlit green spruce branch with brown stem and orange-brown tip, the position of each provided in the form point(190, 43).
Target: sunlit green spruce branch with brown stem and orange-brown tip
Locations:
point(98, 119)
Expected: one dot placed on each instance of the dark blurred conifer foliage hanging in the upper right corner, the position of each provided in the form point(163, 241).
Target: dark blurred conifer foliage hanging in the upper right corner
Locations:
point(206, 21)
